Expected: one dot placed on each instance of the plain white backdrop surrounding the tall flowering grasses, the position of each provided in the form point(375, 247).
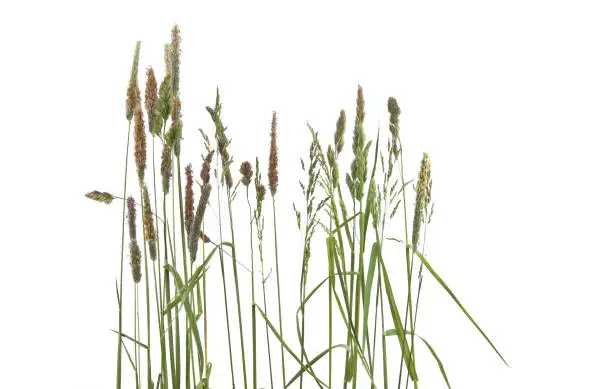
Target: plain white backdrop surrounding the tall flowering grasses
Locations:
point(511, 99)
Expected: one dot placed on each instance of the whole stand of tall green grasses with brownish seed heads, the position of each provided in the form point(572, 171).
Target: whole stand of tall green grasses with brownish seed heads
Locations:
point(361, 298)
